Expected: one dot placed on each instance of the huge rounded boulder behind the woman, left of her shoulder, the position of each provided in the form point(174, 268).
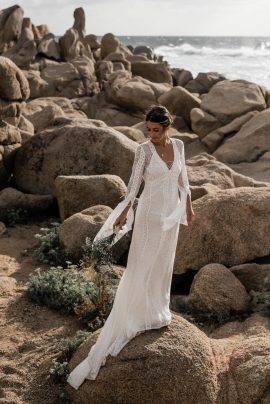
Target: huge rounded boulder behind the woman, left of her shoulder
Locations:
point(74, 148)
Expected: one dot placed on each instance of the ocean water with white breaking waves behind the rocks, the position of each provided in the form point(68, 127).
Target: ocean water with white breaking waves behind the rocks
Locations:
point(245, 58)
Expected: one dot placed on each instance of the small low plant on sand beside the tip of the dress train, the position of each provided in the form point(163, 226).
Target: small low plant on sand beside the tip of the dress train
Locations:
point(67, 346)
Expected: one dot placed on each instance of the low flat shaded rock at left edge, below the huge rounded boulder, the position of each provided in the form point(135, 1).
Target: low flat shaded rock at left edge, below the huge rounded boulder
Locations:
point(11, 198)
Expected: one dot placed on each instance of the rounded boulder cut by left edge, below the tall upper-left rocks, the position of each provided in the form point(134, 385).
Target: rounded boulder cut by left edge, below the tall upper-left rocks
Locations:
point(13, 84)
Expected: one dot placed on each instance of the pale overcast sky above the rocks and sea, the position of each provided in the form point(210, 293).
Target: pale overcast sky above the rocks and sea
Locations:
point(154, 17)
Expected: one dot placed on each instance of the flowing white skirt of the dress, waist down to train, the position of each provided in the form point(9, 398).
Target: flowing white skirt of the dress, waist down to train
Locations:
point(143, 295)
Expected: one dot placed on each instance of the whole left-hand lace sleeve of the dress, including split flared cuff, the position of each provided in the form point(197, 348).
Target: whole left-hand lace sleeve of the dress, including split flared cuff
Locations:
point(132, 190)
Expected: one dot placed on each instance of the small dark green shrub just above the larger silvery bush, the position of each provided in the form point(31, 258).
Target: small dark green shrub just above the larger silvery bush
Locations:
point(49, 250)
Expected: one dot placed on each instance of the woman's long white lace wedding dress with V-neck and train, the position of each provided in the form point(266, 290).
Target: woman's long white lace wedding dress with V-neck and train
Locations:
point(143, 294)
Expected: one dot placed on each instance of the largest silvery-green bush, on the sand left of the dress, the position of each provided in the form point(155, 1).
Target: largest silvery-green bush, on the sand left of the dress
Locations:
point(60, 289)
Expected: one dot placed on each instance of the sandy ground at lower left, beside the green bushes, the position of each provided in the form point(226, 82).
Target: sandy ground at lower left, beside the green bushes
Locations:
point(28, 333)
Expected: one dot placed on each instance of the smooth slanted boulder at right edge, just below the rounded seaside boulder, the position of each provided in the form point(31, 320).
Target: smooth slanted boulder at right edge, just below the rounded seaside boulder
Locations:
point(249, 143)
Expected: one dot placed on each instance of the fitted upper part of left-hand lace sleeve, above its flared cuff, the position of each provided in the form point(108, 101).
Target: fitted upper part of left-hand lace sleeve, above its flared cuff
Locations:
point(136, 175)
